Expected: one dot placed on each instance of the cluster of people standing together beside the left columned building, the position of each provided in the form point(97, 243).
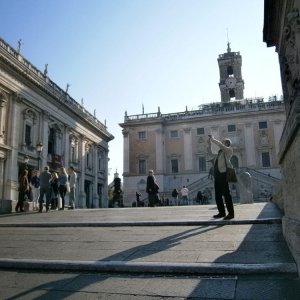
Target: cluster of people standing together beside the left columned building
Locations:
point(51, 186)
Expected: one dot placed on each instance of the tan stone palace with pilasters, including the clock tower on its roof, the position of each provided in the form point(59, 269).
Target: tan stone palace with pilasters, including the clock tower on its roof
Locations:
point(175, 144)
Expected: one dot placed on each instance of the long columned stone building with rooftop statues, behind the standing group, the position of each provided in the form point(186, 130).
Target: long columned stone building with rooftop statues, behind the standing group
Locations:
point(40, 124)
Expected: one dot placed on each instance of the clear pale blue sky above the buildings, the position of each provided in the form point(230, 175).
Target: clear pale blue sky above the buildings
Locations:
point(123, 55)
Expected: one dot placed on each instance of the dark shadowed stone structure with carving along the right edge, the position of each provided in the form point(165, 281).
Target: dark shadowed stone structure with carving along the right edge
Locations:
point(281, 29)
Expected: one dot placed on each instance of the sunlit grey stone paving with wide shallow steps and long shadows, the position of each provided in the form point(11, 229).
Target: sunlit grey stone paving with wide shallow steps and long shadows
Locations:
point(146, 253)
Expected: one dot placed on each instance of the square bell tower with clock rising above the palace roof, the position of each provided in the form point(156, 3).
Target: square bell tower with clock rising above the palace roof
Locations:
point(231, 81)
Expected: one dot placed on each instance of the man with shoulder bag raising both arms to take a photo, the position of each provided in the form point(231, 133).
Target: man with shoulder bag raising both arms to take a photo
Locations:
point(221, 160)
